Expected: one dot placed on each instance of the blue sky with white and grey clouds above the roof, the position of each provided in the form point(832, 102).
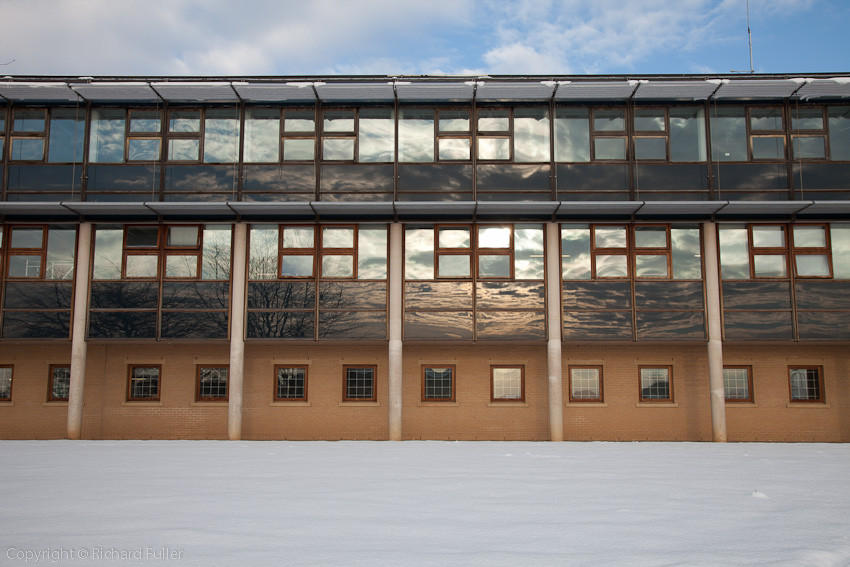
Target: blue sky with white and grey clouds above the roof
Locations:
point(415, 37)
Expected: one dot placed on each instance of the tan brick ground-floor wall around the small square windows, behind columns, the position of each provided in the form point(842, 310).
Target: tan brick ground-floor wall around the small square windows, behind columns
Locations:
point(107, 414)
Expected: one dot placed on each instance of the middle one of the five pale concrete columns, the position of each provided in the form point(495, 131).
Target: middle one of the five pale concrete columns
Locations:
point(395, 265)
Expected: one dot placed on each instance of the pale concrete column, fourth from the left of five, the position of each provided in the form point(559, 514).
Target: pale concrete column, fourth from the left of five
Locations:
point(553, 347)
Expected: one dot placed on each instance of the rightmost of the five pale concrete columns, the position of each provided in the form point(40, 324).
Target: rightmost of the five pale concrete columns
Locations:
point(715, 345)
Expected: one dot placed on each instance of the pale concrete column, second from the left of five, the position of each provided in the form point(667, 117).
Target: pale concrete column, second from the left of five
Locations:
point(237, 332)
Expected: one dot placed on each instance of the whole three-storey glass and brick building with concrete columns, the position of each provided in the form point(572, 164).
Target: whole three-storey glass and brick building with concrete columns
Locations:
point(528, 258)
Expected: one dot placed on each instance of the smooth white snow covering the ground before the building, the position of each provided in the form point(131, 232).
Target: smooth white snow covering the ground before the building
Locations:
point(423, 503)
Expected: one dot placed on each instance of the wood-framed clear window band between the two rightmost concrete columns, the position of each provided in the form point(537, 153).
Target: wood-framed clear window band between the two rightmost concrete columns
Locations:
point(602, 251)
